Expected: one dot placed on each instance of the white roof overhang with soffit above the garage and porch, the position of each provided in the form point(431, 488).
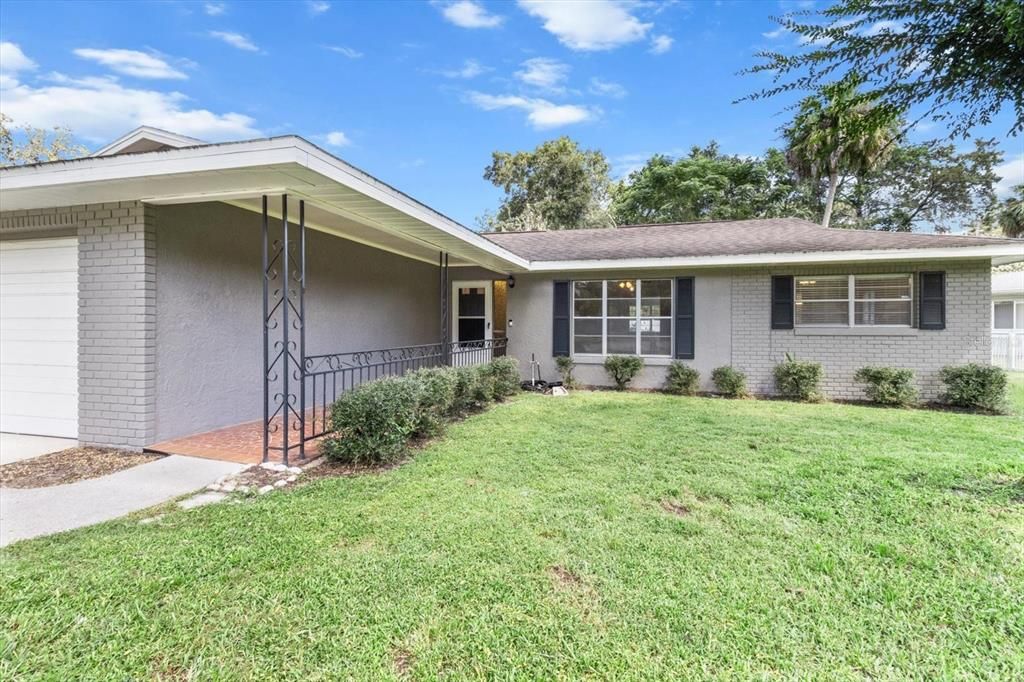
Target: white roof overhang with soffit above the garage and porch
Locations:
point(340, 199)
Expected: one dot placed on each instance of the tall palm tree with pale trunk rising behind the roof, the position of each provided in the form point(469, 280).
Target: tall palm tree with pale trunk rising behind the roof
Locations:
point(844, 134)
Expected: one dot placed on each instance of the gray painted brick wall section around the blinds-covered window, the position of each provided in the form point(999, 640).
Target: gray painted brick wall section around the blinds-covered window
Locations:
point(757, 349)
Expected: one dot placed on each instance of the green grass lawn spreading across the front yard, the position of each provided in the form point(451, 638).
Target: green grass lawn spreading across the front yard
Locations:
point(608, 536)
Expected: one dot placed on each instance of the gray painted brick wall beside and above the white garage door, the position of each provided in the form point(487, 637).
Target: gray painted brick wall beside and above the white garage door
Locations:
point(117, 315)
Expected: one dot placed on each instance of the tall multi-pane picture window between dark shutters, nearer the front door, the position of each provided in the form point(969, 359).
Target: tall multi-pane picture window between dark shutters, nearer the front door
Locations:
point(622, 318)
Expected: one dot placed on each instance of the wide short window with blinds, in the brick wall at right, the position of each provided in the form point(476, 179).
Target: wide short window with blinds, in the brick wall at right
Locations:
point(855, 301)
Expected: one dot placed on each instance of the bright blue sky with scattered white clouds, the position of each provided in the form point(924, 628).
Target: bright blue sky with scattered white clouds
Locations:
point(418, 95)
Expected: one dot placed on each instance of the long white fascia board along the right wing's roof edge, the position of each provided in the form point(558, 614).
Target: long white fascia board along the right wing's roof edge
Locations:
point(1006, 252)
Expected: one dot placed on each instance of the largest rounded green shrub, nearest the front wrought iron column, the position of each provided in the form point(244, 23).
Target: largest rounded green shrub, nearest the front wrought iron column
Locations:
point(373, 422)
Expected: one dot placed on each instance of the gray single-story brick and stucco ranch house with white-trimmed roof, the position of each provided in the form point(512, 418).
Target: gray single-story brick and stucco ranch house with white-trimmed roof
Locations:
point(148, 292)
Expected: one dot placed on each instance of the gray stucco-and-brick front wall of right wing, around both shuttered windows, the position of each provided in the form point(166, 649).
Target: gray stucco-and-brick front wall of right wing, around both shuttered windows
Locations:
point(734, 327)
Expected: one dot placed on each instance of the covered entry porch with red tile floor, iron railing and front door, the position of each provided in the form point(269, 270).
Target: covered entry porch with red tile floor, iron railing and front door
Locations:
point(330, 313)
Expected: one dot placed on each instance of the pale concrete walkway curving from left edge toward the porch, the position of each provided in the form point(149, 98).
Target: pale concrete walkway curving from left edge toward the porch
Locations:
point(40, 511)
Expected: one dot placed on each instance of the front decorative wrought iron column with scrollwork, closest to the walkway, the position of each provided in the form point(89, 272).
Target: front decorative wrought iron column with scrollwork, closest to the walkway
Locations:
point(284, 319)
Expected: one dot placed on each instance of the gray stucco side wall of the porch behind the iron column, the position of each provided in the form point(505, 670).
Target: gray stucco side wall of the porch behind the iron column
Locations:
point(209, 310)
